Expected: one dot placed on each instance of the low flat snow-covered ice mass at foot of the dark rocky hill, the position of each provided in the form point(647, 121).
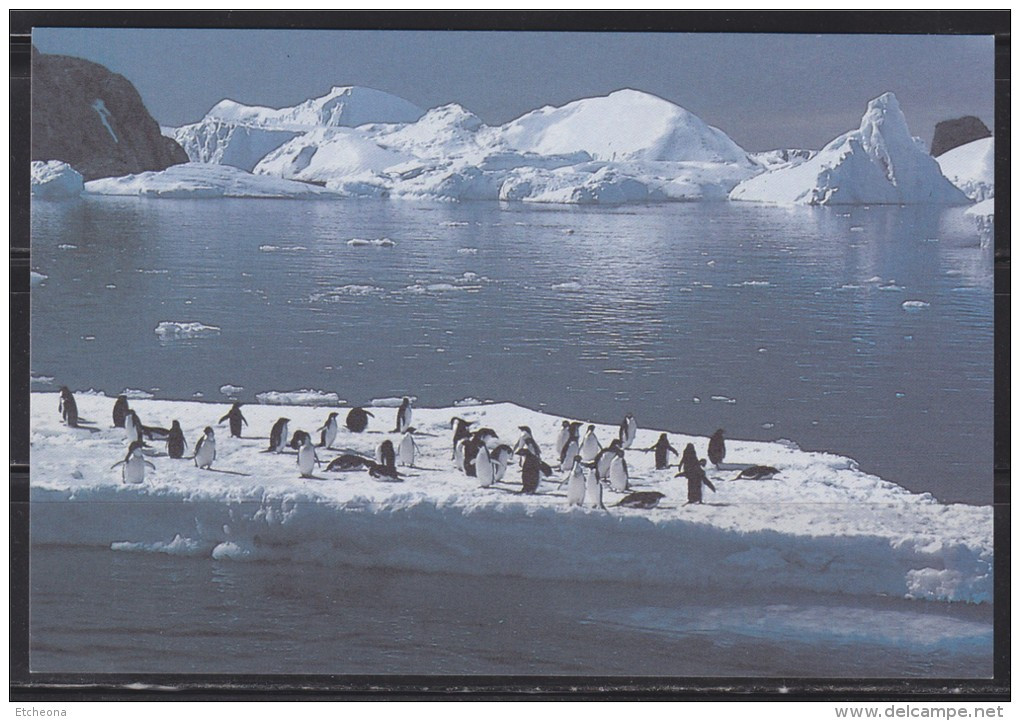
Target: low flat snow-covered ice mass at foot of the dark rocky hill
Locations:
point(203, 181)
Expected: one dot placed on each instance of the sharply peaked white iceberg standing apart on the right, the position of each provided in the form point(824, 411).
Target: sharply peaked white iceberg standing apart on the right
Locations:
point(880, 163)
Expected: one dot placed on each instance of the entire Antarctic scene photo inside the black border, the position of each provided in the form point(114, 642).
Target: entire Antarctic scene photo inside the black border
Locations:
point(512, 353)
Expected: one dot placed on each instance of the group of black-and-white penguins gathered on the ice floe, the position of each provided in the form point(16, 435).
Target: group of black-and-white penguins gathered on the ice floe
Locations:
point(586, 467)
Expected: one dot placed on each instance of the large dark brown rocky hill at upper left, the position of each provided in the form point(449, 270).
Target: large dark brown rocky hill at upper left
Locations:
point(94, 121)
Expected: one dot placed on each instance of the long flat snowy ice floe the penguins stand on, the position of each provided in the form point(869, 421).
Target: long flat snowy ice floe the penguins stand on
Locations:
point(821, 526)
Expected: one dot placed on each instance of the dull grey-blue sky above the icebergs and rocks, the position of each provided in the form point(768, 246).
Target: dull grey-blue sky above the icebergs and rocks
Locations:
point(764, 91)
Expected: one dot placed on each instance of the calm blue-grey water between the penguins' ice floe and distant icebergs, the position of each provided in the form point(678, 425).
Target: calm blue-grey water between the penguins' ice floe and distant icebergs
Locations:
point(769, 323)
